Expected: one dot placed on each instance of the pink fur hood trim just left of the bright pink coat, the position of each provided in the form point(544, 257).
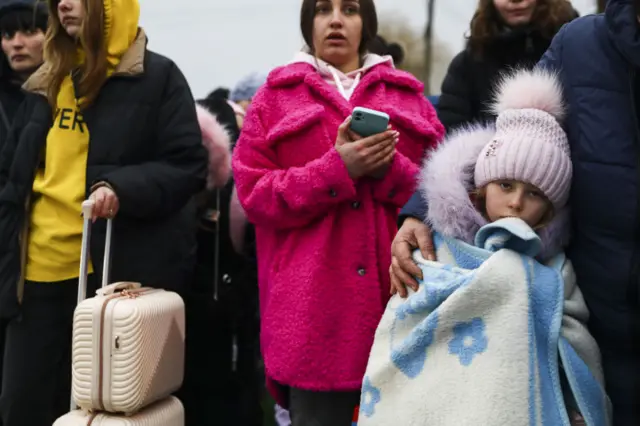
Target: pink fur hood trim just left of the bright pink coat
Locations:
point(218, 143)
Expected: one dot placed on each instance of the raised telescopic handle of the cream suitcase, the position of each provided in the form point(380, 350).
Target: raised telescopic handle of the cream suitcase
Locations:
point(87, 212)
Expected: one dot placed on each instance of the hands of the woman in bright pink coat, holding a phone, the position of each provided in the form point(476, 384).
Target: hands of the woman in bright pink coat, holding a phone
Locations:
point(368, 156)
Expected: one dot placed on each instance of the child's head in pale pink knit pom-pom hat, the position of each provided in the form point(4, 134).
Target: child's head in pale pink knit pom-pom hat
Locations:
point(525, 170)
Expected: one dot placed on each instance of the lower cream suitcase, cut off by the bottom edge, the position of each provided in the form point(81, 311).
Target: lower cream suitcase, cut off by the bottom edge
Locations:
point(167, 412)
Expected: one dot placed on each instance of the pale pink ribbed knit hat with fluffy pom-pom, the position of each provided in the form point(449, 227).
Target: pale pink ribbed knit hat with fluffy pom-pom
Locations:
point(529, 145)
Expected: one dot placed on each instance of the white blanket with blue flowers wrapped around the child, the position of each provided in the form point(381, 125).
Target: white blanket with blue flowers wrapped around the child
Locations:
point(484, 339)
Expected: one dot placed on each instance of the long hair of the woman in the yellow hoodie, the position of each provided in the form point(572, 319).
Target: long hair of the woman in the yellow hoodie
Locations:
point(61, 53)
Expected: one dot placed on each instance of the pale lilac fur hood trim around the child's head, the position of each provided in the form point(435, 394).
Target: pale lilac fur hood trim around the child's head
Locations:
point(447, 179)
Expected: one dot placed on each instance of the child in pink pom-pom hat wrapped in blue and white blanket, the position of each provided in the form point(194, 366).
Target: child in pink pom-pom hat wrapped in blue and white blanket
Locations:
point(470, 302)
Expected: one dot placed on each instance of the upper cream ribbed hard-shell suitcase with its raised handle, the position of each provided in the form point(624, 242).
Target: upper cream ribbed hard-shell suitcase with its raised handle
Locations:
point(128, 341)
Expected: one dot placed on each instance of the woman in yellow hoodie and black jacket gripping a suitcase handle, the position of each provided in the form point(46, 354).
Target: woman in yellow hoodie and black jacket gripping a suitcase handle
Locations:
point(108, 119)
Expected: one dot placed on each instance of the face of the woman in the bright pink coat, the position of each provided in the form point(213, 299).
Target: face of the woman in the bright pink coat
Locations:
point(337, 31)
